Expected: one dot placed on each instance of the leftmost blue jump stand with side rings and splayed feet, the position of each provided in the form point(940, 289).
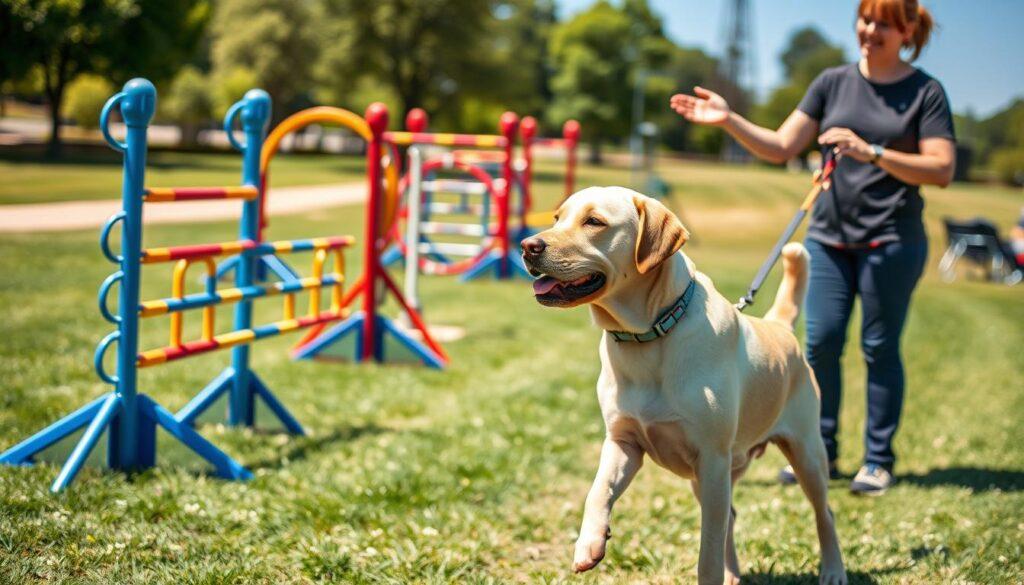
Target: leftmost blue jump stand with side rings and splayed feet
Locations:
point(131, 419)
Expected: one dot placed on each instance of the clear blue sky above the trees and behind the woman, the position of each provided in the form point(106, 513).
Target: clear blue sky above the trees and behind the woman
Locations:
point(977, 54)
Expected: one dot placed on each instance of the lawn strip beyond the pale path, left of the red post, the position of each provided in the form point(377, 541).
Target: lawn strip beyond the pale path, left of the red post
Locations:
point(98, 176)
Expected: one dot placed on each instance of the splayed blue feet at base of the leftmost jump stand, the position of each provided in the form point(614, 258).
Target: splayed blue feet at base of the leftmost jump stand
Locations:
point(106, 414)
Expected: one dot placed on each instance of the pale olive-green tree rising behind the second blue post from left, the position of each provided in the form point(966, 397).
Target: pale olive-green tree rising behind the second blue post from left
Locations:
point(277, 41)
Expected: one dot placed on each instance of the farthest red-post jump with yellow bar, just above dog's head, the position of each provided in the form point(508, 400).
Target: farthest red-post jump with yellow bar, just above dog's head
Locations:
point(569, 142)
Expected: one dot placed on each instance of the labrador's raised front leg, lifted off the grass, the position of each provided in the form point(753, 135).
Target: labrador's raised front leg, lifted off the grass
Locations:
point(620, 463)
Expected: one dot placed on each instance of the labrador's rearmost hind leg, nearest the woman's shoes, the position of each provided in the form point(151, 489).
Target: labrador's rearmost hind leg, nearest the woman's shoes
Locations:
point(807, 455)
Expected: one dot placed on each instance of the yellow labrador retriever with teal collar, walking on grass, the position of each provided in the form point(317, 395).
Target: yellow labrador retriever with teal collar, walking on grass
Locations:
point(686, 379)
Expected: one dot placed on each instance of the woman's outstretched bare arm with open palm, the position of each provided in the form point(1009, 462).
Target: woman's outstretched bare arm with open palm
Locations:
point(774, 146)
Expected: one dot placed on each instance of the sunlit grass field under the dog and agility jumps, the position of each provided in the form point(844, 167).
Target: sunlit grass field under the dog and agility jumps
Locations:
point(478, 474)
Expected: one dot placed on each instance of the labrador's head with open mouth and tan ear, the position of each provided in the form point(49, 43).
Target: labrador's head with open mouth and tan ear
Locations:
point(603, 238)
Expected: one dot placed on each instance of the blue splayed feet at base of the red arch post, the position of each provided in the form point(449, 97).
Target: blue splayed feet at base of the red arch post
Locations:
point(331, 344)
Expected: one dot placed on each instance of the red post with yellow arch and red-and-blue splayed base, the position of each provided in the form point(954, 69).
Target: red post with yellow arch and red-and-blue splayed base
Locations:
point(367, 329)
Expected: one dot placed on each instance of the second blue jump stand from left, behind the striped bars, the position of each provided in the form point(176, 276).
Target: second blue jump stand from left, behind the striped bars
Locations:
point(241, 385)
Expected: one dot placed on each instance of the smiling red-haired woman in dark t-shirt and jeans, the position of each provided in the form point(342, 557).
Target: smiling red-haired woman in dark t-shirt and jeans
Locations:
point(890, 127)
